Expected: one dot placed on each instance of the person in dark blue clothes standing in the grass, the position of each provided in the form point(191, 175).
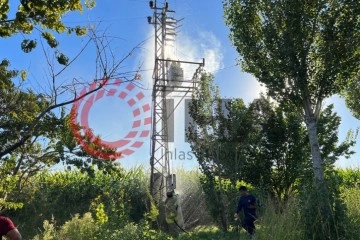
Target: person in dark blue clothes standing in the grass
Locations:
point(247, 203)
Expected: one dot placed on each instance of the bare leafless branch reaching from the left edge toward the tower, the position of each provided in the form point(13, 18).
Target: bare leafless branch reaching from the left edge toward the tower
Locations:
point(106, 68)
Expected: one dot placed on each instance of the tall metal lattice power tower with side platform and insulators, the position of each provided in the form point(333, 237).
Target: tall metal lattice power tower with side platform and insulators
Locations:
point(165, 25)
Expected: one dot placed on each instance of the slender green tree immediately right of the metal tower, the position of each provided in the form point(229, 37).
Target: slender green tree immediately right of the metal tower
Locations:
point(211, 143)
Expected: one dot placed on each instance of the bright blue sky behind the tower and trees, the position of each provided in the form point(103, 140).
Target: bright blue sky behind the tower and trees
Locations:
point(202, 34)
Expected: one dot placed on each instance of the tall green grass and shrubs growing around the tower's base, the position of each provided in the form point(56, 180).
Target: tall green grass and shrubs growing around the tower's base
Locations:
point(123, 196)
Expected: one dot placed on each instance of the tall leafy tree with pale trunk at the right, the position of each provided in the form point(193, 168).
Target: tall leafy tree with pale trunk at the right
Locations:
point(304, 52)
